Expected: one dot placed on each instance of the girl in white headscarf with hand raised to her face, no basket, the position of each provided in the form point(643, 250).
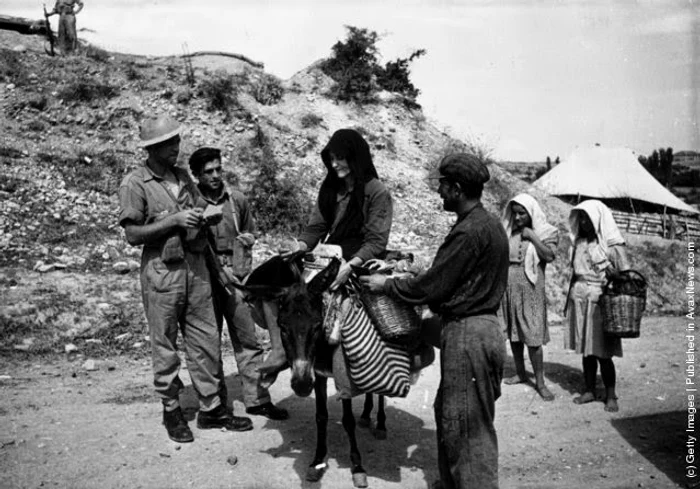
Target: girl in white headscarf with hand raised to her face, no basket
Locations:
point(533, 244)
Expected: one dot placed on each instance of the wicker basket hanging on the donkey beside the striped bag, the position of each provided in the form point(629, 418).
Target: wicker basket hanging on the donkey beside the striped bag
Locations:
point(396, 321)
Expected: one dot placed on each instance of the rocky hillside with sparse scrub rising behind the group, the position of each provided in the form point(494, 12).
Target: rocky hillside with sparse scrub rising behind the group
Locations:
point(70, 133)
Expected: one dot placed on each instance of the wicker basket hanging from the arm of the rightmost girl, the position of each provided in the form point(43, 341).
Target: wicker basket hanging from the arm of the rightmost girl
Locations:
point(622, 305)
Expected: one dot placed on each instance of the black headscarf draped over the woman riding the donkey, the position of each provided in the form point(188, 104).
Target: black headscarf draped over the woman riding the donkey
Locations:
point(349, 145)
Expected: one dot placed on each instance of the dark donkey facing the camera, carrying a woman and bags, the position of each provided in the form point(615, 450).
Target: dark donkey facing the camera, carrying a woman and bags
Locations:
point(300, 320)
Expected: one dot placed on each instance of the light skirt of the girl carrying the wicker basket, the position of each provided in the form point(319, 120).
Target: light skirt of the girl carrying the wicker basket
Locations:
point(585, 332)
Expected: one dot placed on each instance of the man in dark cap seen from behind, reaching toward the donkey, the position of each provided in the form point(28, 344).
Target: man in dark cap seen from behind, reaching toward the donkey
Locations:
point(463, 287)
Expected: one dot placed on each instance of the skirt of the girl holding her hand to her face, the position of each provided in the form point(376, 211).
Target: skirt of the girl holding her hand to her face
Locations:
point(523, 308)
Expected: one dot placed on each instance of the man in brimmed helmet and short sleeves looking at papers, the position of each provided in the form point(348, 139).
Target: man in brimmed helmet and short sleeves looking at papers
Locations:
point(158, 210)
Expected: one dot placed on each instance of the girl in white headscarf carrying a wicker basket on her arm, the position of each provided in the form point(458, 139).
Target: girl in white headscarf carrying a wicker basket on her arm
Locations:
point(598, 254)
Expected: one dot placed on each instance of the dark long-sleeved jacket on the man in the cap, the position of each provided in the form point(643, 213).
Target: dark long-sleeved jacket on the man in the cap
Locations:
point(469, 274)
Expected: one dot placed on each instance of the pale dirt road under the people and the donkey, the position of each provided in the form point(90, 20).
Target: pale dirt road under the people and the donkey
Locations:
point(63, 426)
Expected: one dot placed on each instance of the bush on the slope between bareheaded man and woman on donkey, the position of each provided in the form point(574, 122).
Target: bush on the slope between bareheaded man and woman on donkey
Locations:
point(278, 204)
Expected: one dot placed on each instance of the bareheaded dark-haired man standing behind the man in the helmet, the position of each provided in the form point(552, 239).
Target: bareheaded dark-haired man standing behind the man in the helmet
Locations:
point(232, 241)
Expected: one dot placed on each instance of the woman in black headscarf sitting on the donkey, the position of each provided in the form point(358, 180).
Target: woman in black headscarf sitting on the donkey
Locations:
point(354, 209)
